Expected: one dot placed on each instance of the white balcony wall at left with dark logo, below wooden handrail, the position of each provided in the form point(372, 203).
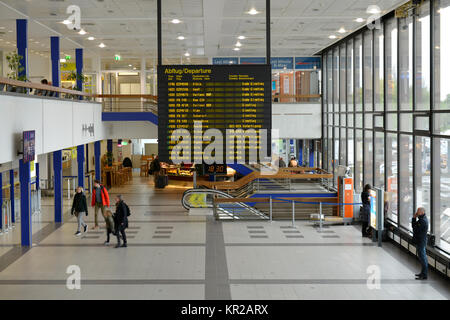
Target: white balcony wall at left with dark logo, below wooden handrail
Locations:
point(58, 123)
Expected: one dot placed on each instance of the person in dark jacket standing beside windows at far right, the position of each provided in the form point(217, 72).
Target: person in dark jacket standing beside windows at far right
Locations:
point(420, 228)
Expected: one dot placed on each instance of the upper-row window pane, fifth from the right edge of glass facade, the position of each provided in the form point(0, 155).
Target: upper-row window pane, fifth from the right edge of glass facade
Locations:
point(378, 43)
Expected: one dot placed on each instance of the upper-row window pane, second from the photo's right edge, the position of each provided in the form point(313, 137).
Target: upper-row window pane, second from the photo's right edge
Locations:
point(423, 58)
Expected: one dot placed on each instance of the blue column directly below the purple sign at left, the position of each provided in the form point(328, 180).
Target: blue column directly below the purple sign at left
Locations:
point(25, 205)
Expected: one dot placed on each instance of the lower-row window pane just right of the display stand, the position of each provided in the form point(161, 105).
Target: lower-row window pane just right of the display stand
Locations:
point(392, 176)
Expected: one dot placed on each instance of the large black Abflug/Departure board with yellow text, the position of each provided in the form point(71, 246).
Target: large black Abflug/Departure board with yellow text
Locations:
point(219, 96)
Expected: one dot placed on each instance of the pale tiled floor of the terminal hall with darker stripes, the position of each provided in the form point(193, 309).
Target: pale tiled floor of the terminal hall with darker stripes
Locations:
point(172, 255)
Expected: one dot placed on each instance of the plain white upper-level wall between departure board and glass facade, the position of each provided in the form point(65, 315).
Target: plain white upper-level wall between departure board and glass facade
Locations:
point(297, 121)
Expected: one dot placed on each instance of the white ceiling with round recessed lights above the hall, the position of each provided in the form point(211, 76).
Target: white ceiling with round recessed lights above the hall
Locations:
point(128, 27)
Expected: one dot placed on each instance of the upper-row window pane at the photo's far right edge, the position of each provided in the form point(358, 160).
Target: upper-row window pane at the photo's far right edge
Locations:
point(442, 54)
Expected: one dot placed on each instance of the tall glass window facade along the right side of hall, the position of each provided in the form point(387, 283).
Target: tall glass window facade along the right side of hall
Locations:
point(387, 113)
